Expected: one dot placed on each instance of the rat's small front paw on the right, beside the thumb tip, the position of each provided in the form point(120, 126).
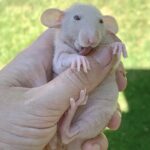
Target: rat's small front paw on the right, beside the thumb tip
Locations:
point(118, 49)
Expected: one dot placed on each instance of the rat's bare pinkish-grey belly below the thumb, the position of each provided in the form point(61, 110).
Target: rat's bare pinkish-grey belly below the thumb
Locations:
point(92, 118)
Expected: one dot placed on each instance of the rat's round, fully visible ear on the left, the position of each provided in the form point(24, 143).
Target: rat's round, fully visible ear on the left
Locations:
point(52, 18)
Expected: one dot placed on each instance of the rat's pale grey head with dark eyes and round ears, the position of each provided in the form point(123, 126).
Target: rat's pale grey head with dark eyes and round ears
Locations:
point(82, 26)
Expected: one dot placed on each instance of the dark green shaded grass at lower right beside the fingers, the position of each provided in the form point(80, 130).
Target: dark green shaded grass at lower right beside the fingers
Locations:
point(134, 132)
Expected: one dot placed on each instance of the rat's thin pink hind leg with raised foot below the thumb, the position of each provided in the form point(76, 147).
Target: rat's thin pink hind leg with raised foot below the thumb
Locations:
point(68, 133)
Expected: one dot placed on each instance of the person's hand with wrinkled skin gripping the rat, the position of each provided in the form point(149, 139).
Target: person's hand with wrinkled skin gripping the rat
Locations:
point(30, 104)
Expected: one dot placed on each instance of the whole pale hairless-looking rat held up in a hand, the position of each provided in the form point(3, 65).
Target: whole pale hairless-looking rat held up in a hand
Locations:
point(81, 30)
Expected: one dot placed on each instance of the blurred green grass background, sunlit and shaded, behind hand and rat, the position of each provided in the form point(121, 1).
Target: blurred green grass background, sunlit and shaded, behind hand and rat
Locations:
point(20, 25)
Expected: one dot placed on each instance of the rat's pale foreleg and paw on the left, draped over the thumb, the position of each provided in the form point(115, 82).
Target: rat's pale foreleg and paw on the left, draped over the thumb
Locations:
point(65, 57)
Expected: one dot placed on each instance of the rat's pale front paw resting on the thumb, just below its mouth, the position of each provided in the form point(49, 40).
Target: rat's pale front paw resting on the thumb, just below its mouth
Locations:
point(79, 61)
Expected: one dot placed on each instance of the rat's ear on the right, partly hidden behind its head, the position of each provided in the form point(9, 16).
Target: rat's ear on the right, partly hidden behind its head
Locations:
point(111, 24)
